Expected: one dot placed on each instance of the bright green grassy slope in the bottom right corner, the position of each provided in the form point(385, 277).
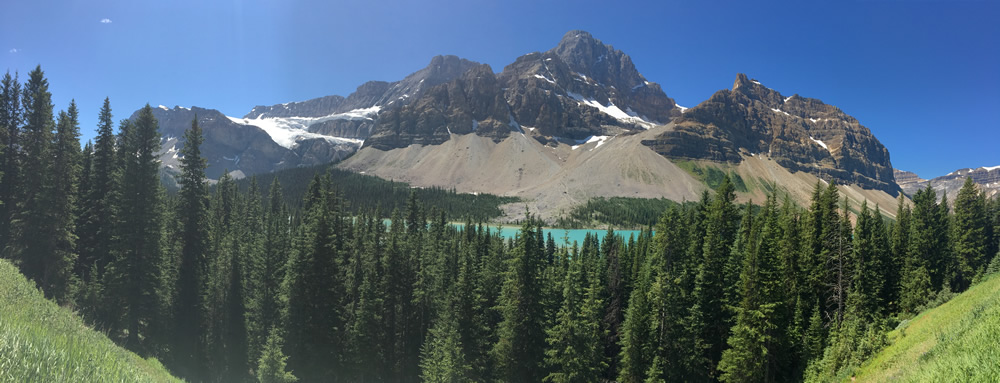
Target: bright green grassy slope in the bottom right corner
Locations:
point(958, 341)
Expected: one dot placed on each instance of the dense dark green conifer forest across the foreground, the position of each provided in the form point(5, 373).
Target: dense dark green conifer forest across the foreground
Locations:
point(236, 284)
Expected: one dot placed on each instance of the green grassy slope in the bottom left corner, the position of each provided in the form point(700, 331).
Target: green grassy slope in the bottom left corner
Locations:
point(42, 342)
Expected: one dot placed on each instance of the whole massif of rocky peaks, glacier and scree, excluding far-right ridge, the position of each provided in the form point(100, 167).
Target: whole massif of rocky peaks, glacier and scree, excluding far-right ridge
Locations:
point(556, 128)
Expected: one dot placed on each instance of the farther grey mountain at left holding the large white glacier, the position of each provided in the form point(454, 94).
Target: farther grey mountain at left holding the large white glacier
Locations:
point(294, 134)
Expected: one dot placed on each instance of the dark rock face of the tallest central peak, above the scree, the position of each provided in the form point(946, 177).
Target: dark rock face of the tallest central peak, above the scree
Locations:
point(579, 89)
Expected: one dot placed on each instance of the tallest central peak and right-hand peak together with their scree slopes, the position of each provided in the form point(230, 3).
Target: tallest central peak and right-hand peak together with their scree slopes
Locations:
point(579, 121)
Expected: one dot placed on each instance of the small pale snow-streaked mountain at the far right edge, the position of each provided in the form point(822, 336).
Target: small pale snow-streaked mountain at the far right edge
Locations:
point(988, 178)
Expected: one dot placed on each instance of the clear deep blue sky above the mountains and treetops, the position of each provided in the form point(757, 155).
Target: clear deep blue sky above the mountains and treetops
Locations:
point(924, 76)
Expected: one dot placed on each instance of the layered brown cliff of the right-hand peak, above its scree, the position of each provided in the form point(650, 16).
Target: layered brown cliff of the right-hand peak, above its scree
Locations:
point(801, 134)
